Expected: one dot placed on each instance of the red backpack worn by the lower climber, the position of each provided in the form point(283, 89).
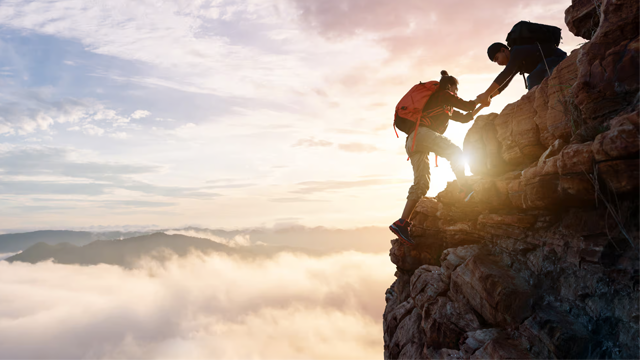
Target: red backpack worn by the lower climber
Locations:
point(412, 104)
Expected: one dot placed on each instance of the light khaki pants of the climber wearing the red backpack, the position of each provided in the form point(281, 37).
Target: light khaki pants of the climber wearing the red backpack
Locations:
point(428, 141)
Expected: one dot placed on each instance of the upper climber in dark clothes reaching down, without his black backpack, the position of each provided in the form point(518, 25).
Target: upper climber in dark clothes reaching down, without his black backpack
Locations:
point(537, 60)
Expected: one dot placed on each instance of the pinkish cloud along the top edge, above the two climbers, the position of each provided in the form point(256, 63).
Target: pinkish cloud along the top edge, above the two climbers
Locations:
point(408, 26)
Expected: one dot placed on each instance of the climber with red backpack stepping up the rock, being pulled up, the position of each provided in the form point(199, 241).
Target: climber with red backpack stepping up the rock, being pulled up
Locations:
point(423, 114)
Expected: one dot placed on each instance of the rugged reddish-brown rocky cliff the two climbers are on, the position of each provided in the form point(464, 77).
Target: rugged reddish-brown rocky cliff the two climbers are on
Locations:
point(542, 261)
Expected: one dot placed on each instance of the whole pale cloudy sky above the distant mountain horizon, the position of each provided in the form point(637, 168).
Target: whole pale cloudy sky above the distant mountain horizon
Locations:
point(229, 114)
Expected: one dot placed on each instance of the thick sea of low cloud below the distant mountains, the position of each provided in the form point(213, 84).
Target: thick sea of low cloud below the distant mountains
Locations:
point(289, 306)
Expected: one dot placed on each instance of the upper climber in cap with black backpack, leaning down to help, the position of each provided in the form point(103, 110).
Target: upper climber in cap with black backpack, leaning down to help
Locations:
point(531, 49)
